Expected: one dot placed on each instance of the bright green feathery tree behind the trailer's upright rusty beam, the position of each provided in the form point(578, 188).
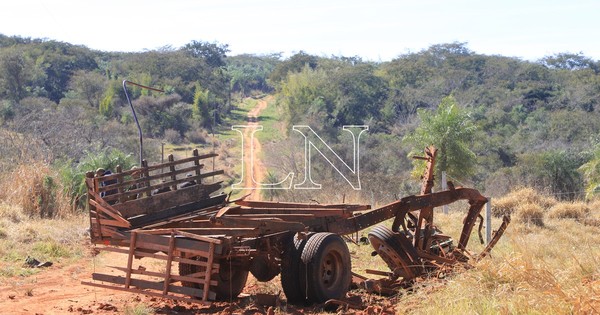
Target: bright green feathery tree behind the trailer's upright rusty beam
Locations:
point(451, 130)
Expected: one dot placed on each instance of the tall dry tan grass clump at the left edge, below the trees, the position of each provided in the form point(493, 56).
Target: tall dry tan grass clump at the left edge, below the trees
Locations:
point(34, 188)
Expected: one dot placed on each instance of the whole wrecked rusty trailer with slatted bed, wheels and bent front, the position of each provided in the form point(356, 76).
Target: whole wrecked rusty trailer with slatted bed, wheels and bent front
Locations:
point(197, 245)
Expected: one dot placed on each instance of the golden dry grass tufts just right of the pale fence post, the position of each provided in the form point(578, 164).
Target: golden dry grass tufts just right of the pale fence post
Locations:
point(525, 195)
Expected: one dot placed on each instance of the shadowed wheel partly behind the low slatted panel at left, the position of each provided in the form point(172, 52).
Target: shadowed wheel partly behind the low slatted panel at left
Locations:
point(231, 278)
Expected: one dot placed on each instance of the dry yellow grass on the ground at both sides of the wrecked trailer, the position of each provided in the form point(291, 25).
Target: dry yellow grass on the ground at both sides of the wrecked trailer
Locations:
point(552, 268)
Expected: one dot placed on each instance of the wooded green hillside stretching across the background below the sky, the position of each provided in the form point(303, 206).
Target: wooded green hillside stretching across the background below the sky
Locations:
point(534, 123)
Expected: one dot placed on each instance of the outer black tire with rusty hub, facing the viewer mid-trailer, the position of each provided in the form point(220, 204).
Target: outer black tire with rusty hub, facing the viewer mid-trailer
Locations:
point(328, 269)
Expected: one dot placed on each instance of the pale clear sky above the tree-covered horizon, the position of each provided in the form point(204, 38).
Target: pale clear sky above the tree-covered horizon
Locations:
point(374, 30)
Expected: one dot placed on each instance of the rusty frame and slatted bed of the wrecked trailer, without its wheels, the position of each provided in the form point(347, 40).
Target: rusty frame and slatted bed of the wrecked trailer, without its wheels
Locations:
point(245, 230)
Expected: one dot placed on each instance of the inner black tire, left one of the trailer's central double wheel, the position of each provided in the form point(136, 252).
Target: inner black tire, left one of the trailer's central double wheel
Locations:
point(291, 269)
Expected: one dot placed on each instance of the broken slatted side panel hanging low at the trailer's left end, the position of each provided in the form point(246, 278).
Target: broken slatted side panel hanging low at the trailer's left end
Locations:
point(157, 277)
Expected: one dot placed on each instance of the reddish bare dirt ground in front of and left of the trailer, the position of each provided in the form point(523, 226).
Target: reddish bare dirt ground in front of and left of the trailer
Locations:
point(58, 290)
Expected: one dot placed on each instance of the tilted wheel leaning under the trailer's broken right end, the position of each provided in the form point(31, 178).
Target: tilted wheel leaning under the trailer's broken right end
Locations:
point(396, 250)
